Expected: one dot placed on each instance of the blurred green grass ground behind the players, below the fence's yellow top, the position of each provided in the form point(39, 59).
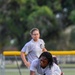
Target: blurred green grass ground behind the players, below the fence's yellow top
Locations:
point(13, 70)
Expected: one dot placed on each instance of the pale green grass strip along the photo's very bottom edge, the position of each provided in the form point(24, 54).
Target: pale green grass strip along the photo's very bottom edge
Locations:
point(67, 71)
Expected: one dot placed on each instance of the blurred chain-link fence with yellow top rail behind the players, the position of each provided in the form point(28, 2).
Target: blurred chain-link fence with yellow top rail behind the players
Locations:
point(13, 62)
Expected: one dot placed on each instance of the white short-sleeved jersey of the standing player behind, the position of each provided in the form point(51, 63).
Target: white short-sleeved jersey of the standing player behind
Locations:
point(33, 49)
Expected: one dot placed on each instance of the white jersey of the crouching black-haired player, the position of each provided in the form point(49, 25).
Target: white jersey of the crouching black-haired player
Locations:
point(35, 66)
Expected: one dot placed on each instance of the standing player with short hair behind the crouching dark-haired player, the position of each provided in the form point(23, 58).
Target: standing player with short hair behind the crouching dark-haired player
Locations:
point(33, 48)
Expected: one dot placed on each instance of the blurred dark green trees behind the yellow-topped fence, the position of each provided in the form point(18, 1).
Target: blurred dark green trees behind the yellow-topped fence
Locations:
point(54, 18)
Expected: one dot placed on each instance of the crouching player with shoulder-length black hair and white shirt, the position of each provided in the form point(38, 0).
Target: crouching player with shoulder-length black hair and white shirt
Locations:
point(44, 65)
